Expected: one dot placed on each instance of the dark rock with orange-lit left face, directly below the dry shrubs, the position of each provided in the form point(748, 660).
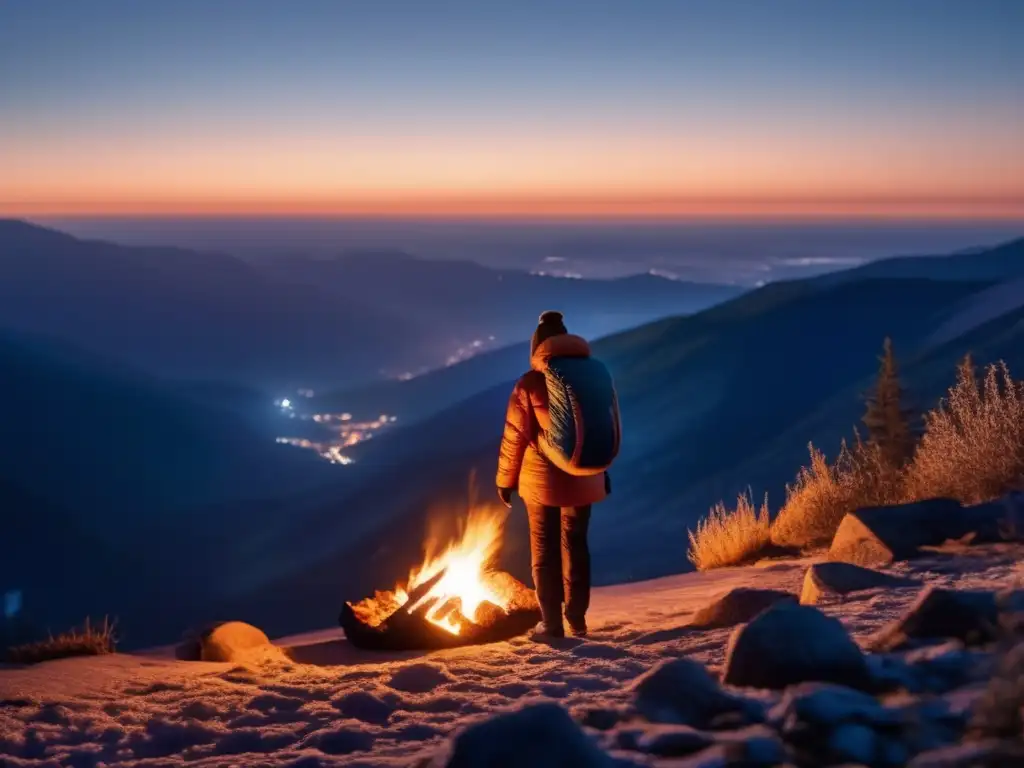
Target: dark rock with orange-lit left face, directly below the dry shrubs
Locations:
point(880, 536)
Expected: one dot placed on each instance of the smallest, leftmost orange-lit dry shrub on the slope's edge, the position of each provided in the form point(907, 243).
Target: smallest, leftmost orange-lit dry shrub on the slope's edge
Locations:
point(731, 537)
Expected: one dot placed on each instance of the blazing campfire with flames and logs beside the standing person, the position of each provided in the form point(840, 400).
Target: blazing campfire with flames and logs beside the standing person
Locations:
point(455, 598)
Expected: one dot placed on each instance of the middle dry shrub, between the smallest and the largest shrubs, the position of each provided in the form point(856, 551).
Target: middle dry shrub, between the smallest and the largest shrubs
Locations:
point(823, 494)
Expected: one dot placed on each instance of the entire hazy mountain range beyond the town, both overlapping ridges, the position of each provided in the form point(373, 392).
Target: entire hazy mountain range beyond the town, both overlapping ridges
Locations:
point(182, 315)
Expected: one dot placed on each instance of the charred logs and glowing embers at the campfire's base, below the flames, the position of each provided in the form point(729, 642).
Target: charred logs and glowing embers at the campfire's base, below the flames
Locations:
point(410, 629)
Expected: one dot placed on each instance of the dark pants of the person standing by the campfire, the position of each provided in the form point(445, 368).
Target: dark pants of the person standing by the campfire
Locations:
point(562, 563)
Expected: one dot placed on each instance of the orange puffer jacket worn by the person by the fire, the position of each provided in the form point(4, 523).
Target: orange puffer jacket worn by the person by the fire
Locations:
point(521, 464)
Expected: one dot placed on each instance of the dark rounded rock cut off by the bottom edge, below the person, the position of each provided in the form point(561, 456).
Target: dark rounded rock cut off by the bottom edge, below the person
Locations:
point(541, 736)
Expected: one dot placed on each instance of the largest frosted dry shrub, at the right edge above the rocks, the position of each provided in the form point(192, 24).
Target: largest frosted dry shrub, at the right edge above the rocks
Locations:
point(973, 447)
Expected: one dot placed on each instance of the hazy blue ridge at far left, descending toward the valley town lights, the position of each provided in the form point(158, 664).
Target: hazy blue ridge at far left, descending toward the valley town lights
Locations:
point(182, 315)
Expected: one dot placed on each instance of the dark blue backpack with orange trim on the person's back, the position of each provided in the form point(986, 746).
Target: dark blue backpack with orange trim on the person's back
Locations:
point(585, 424)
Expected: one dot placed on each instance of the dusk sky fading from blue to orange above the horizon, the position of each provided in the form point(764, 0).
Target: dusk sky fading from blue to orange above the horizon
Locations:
point(686, 107)
